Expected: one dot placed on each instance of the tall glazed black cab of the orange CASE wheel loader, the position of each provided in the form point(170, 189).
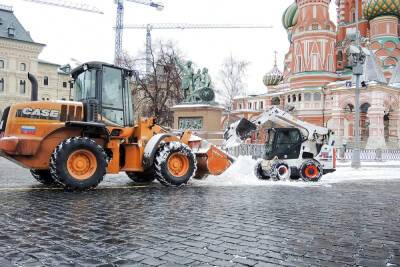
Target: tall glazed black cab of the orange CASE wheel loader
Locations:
point(104, 90)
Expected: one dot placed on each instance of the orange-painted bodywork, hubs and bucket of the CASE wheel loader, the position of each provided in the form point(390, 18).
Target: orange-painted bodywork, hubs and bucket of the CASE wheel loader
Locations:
point(35, 129)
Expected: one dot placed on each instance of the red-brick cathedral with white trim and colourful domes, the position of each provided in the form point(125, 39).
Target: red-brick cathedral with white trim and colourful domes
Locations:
point(317, 84)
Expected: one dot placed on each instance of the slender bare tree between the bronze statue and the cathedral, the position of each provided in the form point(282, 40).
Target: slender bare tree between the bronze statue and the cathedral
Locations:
point(232, 75)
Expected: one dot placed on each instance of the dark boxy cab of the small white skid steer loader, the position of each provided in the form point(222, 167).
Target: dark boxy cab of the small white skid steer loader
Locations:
point(284, 143)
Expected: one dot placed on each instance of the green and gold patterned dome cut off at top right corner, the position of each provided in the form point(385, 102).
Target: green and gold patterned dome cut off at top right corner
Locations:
point(377, 8)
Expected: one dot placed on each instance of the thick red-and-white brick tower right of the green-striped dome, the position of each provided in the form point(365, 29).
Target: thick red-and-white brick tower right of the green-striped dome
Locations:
point(314, 38)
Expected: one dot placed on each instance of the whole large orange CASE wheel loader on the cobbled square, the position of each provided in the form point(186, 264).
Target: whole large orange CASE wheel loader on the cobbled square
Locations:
point(75, 144)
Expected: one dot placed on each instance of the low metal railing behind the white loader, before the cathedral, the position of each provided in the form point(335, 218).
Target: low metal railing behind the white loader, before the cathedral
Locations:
point(258, 151)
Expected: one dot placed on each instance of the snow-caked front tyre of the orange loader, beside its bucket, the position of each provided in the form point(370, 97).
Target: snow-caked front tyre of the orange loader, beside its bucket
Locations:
point(161, 161)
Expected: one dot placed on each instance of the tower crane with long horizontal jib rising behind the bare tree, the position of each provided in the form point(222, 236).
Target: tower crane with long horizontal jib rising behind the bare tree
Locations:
point(184, 26)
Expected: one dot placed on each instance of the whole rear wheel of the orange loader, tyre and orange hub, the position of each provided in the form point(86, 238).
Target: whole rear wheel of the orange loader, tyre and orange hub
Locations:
point(78, 163)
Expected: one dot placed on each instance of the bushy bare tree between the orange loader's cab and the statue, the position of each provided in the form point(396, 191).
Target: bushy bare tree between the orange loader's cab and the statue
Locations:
point(156, 92)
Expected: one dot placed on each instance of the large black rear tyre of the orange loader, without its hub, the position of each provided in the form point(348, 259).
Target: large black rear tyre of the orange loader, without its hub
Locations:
point(60, 170)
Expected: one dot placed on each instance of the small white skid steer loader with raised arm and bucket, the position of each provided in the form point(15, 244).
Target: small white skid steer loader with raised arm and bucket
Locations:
point(300, 150)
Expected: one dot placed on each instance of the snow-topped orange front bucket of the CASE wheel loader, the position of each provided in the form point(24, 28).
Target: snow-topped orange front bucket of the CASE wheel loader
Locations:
point(210, 159)
